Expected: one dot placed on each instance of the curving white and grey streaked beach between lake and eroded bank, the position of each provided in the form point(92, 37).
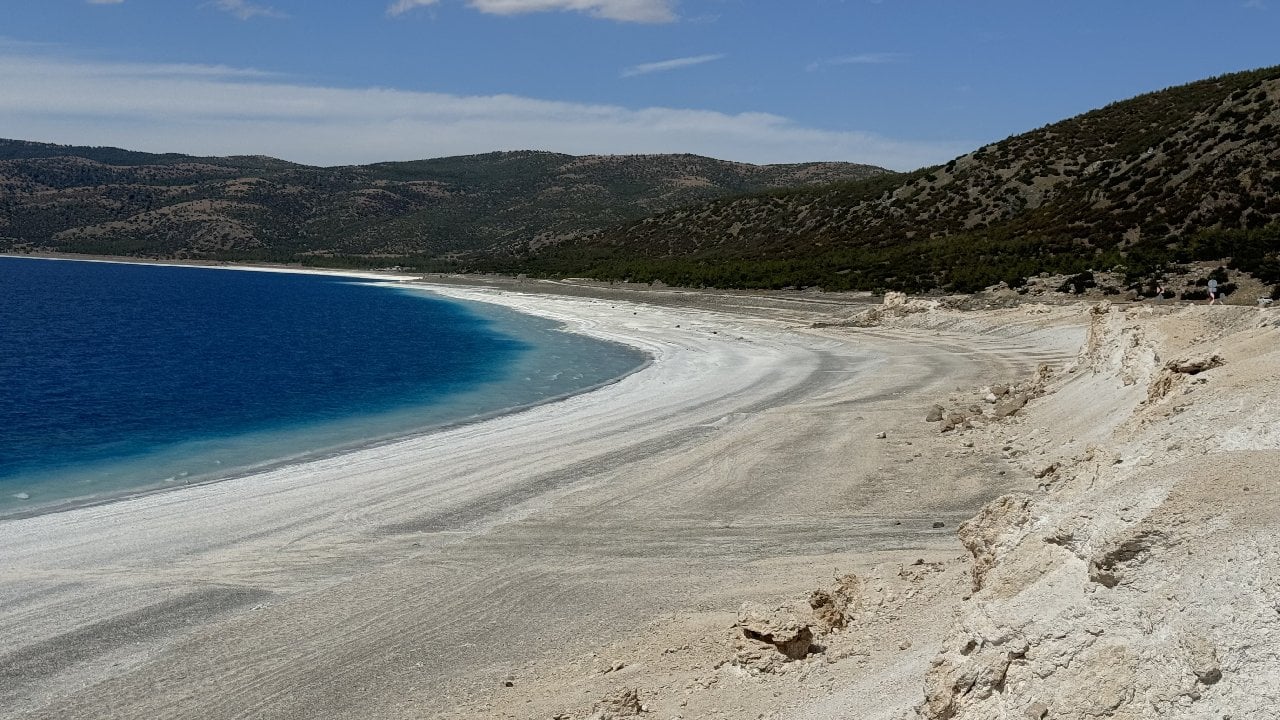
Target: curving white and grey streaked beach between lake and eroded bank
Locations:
point(400, 581)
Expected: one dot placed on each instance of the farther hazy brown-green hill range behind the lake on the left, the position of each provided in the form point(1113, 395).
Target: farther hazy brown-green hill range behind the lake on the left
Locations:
point(112, 202)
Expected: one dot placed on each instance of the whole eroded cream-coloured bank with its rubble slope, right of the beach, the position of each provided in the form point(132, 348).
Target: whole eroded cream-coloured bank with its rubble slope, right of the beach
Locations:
point(1127, 569)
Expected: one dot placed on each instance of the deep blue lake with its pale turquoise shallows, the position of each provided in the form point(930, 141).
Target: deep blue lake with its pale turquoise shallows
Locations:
point(121, 377)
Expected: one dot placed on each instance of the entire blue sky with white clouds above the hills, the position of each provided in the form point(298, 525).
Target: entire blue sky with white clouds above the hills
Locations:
point(899, 84)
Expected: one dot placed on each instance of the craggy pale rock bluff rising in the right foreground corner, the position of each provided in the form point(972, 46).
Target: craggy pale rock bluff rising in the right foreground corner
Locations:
point(1140, 582)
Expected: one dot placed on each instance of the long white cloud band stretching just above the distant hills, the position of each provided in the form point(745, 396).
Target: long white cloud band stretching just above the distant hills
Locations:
point(213, 111)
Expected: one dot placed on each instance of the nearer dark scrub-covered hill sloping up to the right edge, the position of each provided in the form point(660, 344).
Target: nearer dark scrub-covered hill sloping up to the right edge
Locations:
point(1187, 174)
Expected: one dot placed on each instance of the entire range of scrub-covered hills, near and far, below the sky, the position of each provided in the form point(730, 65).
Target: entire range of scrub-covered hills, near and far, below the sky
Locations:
point(1190, 174)
